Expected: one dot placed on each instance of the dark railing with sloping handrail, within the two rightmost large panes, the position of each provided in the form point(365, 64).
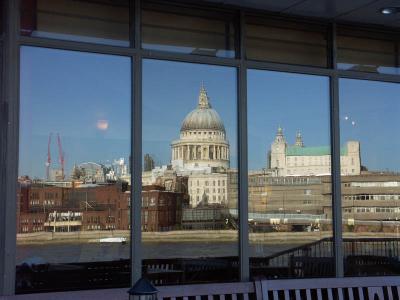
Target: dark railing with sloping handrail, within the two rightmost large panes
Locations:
point(362, 256)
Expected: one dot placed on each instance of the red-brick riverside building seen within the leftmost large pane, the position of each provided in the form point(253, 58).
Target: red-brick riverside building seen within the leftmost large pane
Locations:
point(44, 207)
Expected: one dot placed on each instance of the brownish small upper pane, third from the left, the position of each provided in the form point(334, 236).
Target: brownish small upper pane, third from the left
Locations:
point(286, 42)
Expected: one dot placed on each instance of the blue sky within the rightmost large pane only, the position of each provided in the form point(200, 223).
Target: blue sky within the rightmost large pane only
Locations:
point(374, 107)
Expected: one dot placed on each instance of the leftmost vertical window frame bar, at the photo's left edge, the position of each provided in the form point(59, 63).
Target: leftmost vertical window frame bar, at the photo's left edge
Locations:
point(9, 126)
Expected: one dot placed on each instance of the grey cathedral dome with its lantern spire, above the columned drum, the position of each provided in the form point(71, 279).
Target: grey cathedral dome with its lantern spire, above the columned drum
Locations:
point(204, 117)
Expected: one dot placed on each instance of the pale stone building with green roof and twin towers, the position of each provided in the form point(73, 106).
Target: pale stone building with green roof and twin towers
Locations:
point(299, 160)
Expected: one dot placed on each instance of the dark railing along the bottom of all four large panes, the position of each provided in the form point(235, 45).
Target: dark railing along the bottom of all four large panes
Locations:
point(370, 256)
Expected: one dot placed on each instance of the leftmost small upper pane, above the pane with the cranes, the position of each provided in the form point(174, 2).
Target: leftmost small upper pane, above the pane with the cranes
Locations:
point(100, 22)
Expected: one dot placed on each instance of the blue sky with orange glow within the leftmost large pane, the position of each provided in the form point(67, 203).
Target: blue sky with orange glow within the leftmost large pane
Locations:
point(68, 93)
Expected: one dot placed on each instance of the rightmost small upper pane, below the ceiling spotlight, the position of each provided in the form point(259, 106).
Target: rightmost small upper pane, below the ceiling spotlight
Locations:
point(367, 52)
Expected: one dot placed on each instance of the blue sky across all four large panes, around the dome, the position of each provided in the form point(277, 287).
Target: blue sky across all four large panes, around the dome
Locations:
point(70, 92)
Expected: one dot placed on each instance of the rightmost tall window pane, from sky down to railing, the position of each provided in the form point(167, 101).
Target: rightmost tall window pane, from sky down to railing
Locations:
point(370, 177)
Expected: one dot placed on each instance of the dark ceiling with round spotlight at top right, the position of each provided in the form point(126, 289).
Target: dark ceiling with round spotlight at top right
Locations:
point(360, 11)
